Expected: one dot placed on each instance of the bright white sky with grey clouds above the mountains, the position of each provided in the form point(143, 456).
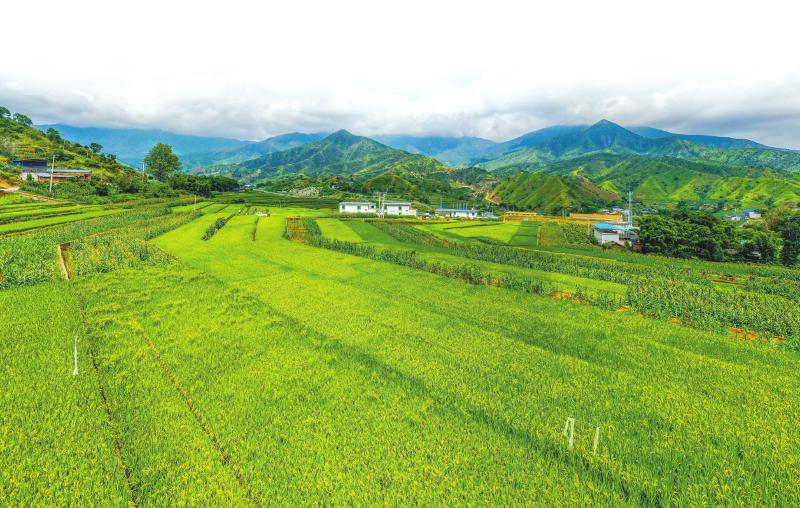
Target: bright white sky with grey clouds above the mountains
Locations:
point(494, 69)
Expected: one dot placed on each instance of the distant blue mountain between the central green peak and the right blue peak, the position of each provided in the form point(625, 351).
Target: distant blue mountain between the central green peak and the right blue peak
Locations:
point(453, 151)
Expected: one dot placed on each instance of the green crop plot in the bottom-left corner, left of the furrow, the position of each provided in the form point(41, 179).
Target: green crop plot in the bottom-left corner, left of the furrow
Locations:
point(57, 447)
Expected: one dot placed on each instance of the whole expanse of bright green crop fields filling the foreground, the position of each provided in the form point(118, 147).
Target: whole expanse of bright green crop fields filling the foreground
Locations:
point(300, 359)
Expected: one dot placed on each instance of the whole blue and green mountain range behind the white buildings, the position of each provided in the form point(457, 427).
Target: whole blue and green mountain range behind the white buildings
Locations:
point(575, 167)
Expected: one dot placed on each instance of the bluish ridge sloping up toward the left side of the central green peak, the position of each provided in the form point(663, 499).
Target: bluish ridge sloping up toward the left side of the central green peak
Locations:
point(249, 151)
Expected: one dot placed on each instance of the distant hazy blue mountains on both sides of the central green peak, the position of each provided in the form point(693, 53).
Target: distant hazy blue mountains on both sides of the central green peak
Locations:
point(131, 145)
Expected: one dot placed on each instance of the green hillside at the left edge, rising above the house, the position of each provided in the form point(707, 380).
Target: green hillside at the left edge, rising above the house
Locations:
point(18, 140)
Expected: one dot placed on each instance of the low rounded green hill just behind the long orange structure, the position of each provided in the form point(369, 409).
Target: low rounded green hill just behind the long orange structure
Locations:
point(552, 194)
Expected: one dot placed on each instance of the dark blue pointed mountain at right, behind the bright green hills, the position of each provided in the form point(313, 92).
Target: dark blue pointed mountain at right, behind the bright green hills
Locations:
point(608, 137)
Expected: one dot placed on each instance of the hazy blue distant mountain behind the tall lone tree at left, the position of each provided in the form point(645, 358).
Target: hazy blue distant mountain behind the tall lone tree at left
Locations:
point(131, 145)
